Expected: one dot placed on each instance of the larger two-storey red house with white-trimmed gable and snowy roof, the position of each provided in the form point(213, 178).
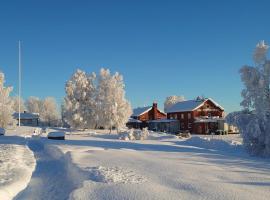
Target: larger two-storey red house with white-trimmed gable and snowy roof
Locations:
point(200, 116)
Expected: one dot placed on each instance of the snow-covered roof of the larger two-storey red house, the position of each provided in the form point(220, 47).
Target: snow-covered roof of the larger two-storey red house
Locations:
point(190, 105)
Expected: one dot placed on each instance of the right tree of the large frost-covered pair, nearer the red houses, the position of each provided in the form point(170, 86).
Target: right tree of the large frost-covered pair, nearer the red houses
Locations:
point(113, 110)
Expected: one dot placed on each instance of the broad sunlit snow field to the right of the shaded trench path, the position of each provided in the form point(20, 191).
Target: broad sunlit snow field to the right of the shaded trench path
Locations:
point(196, 168)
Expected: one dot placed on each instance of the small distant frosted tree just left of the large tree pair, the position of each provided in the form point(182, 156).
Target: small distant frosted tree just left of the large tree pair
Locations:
point(49, 114)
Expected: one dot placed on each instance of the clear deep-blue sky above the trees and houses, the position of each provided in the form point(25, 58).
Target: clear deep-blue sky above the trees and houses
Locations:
point(162, 48)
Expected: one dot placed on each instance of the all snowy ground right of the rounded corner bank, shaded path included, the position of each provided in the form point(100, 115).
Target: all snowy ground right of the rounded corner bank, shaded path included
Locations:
point(96, 165)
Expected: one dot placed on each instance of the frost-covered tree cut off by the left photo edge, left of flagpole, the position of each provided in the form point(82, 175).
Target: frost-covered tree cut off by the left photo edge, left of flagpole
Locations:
point(6, 104)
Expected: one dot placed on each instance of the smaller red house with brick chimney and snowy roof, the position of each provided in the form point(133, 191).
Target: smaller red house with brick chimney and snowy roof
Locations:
point(142, 115)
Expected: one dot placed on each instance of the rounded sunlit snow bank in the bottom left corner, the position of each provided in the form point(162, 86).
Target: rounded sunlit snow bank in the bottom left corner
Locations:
point(17, 163)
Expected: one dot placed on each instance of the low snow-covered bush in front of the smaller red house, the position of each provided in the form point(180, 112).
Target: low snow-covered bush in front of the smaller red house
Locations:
point(134, 134)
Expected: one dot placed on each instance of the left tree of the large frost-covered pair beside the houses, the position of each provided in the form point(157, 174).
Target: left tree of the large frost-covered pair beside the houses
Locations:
point(79, 105)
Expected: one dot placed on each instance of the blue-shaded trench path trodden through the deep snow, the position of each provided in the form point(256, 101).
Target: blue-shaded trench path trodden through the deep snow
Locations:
point(55, 176)
